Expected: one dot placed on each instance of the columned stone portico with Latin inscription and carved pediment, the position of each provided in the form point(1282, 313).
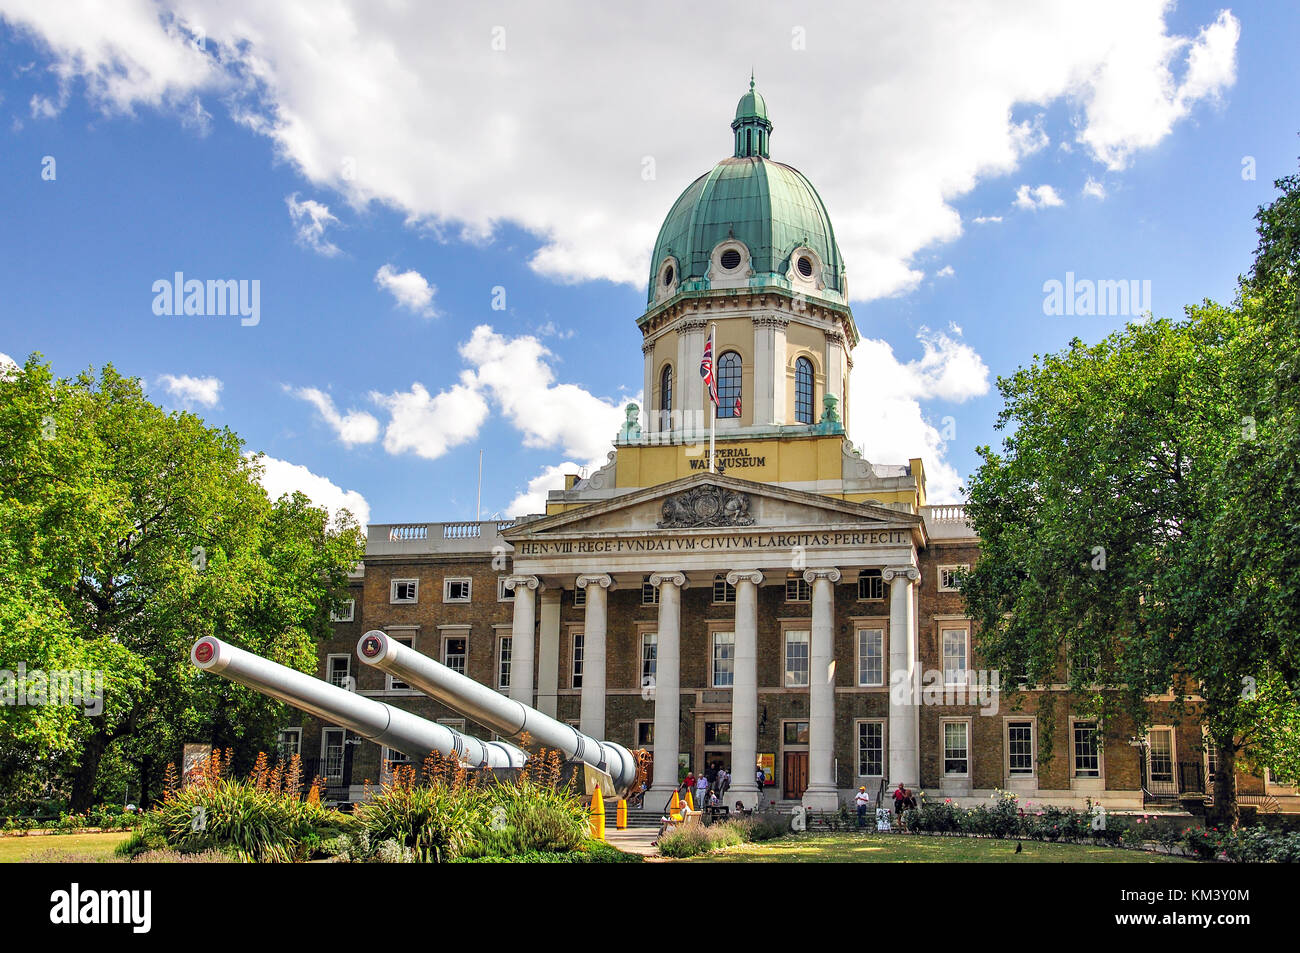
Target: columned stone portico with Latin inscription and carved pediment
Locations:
point(736, 545)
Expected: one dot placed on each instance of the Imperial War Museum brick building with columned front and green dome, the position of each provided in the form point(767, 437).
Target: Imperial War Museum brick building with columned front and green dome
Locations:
point(795, 609)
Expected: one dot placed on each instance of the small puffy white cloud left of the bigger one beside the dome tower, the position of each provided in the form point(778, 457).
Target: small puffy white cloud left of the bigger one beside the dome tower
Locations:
point(430, 426)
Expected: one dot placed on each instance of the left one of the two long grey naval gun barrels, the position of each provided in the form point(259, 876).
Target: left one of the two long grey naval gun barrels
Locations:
point(369, 718)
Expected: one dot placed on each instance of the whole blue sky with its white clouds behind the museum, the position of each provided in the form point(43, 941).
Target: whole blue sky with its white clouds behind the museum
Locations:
point(508, 168)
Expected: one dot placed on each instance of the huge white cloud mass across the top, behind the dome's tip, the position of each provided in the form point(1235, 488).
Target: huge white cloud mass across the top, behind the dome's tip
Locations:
point(414, 109)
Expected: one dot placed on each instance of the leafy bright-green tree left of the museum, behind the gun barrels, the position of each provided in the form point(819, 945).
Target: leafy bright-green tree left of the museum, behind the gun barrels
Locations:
point(135, 532)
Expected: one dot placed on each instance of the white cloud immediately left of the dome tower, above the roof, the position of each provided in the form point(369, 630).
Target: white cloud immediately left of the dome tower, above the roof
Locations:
point(521, 380)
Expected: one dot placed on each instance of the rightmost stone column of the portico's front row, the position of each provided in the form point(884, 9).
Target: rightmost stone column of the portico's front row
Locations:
point(904, 699)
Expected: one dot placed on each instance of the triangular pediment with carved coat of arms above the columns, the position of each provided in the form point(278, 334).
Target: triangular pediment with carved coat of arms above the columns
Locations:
point(716, 503)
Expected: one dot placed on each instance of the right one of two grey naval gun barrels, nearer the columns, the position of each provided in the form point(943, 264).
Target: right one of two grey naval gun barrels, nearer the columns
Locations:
point(506, 717)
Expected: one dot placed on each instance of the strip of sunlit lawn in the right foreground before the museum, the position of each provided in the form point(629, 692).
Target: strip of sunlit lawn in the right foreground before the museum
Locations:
point(890, 848)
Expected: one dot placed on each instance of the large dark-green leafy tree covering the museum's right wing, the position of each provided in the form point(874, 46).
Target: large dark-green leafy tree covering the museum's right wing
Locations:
point(1142, 521)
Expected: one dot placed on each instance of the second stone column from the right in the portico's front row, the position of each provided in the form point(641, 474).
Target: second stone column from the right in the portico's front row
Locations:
point(822, 794)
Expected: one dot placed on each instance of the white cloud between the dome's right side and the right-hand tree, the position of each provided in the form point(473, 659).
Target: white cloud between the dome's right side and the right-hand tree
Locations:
point(887, 418)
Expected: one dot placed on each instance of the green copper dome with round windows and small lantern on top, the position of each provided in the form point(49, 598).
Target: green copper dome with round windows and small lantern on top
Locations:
point(765, 210)
